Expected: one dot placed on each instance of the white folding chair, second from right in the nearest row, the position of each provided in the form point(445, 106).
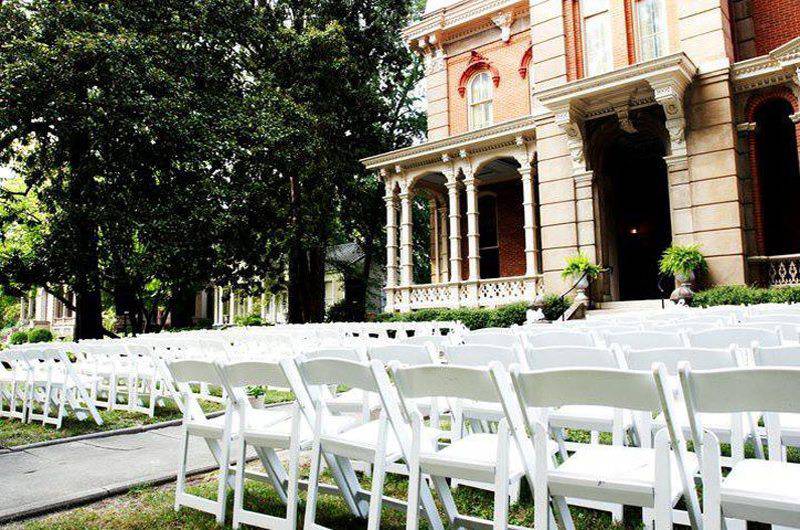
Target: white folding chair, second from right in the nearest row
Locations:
point(654, 479)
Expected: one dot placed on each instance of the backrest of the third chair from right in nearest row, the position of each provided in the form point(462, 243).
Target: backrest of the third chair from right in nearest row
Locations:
point(445, 381)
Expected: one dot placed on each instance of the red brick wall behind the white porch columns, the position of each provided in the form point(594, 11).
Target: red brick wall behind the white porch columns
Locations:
point(510, 228)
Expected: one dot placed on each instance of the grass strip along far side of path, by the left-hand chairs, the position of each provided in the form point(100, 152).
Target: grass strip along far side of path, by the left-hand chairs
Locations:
point(15, 432)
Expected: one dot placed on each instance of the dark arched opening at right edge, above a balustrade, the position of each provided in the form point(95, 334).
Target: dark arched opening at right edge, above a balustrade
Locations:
point(779, 177)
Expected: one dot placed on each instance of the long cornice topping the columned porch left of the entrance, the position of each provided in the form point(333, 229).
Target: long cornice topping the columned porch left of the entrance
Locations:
point(487, 138)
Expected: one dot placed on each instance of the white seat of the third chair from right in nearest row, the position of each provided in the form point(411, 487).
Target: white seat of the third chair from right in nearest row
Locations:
point(473, 457)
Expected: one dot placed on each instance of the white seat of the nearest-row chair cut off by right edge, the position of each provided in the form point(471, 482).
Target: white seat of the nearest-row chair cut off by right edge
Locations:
point(764, 491)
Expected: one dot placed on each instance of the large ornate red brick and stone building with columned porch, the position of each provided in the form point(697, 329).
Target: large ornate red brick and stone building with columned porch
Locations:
point(609, 127)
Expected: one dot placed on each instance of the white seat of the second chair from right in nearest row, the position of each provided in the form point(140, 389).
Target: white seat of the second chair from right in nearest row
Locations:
point(614, 473)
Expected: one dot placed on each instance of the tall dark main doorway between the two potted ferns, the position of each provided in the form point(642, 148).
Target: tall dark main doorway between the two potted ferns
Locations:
point(636, 225)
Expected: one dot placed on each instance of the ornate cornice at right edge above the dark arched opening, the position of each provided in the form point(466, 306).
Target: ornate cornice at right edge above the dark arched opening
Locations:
point(777, 67)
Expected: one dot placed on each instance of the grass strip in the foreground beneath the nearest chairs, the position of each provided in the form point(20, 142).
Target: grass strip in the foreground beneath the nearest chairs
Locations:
point(153, 508)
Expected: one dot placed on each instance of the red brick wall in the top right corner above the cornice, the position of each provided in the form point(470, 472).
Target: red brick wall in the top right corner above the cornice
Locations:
point(775, 22)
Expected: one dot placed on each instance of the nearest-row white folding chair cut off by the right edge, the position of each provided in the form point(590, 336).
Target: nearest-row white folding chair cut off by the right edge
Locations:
point(766, 491)
